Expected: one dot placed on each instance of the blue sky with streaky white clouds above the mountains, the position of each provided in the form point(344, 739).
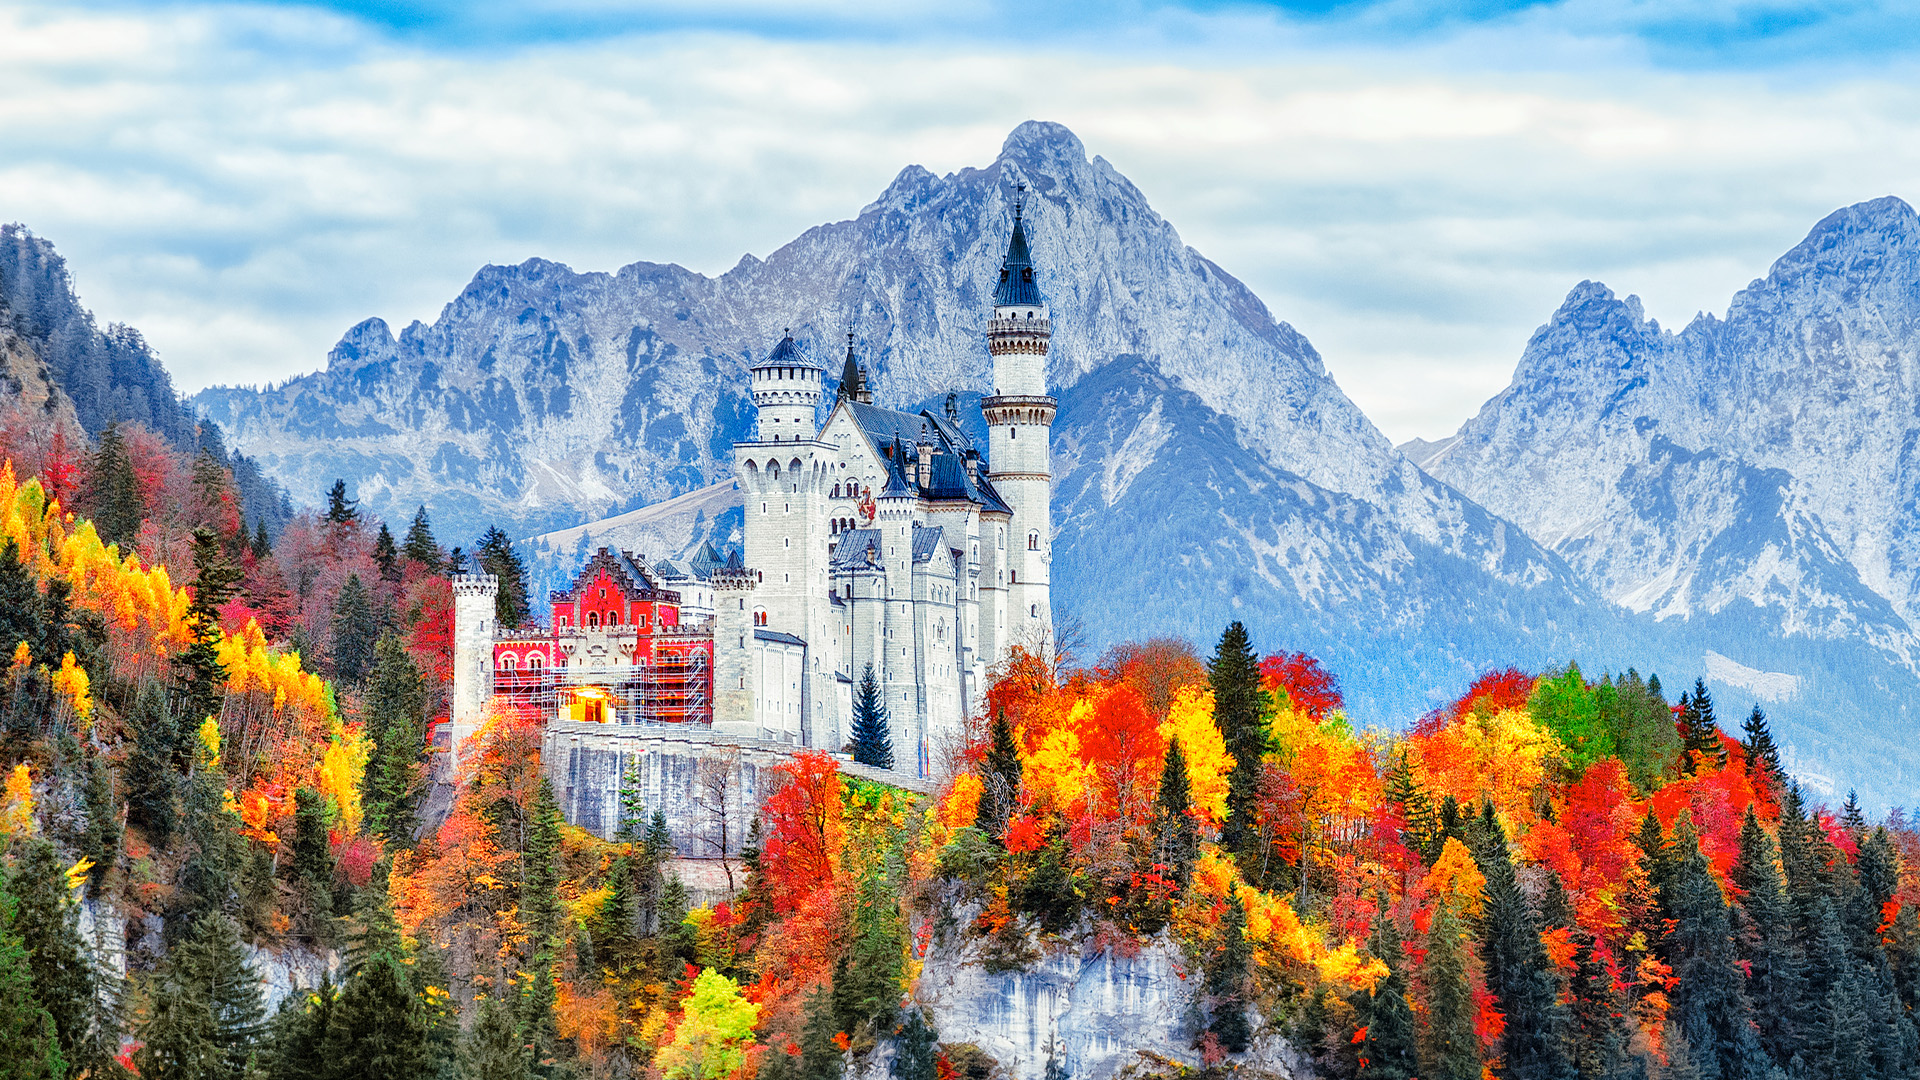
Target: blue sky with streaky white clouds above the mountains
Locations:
point(1414, 185)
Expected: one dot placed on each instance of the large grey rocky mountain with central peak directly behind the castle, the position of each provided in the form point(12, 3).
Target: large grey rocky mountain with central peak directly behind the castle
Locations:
point(1207, 464)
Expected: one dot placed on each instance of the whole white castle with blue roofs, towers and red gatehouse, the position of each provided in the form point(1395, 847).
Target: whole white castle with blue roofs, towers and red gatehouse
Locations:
point(875, 539)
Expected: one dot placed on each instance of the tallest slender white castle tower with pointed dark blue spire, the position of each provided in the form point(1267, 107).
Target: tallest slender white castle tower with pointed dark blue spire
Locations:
point(1020, 418)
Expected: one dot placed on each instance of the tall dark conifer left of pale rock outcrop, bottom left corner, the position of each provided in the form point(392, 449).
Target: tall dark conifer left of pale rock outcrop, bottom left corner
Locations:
point(62, 970)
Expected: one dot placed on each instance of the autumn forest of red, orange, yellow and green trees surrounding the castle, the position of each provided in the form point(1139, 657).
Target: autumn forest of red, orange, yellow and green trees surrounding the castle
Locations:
point(220, 773)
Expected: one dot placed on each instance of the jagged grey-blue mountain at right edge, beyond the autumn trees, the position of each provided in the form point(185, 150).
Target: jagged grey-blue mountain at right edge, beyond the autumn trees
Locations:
point(1752, 483)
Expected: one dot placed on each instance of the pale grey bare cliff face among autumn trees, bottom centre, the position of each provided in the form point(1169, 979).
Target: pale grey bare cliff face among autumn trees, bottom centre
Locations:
point(1092, 1016)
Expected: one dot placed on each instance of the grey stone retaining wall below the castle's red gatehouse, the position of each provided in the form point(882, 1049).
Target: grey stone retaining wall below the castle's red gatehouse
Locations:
point(706, 783)
